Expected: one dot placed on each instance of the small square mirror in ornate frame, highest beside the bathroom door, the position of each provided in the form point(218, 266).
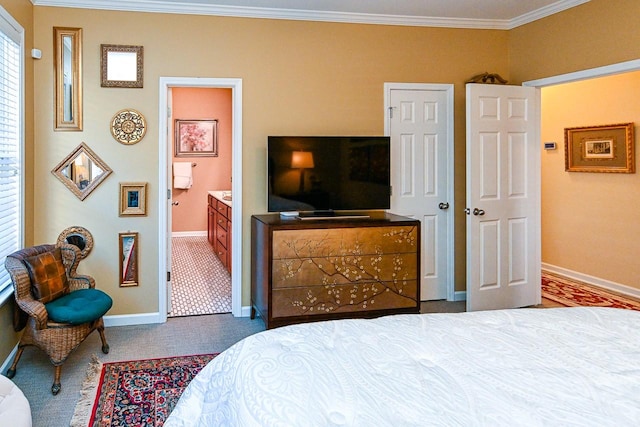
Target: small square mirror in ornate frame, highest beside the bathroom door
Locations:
point(121, 66)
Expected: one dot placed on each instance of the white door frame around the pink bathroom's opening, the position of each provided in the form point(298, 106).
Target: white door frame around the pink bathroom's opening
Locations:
point(164, 187)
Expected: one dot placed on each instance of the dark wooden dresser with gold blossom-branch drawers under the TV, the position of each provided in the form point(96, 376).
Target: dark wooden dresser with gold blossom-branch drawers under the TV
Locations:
point(306, 270)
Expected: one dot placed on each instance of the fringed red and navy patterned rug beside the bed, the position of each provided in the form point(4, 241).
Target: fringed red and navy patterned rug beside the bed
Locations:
point(136, 392)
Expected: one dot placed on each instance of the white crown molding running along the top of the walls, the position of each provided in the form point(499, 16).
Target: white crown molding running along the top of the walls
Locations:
point(189, 8)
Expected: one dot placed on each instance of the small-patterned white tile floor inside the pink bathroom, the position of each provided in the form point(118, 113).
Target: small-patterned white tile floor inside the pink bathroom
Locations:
point(200, 284)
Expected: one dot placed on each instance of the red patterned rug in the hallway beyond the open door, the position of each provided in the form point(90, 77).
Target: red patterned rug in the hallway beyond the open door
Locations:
point(572, 293)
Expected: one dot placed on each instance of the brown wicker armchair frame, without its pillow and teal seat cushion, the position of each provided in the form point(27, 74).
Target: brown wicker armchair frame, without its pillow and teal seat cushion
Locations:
point(57, 340)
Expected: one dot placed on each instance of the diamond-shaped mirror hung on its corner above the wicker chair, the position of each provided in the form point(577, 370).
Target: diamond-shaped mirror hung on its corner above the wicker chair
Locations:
point(81, 171)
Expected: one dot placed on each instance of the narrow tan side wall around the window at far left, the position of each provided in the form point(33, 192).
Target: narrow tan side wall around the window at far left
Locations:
point(22, 11)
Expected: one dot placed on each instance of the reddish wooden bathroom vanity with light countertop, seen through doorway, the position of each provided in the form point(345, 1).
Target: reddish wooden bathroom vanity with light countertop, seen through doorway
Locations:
point(219, 227)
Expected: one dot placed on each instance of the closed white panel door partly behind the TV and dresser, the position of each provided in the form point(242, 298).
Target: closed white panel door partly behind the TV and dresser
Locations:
point(420, 123)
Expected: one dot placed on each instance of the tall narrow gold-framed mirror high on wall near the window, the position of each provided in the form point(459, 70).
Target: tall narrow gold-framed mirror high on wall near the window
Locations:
point(67, 47)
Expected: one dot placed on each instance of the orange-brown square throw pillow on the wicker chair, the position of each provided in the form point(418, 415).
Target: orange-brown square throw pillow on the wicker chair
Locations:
point(48, 276)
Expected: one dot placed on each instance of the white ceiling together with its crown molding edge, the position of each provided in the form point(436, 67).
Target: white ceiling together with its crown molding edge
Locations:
point(494, 14)
